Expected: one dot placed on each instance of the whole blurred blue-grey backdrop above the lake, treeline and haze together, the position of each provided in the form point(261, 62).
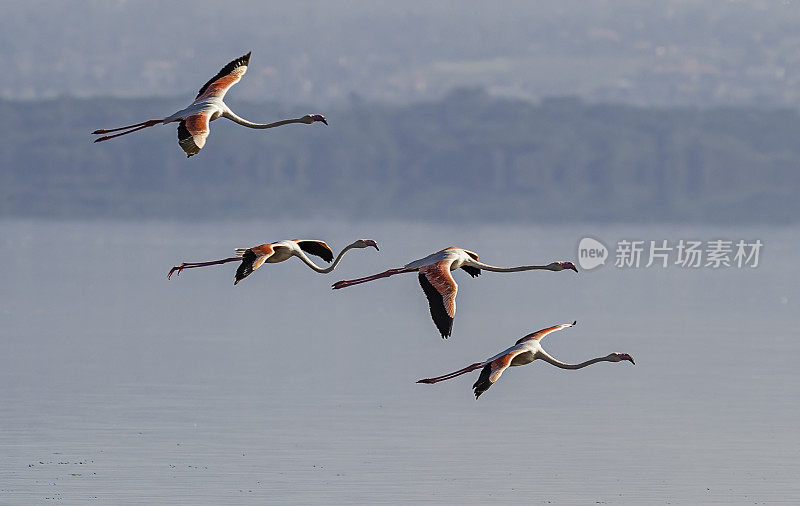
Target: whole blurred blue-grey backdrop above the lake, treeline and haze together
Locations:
point(559, 111)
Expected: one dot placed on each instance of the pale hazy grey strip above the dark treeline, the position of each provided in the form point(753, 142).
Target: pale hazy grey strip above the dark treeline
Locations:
point(671, 52)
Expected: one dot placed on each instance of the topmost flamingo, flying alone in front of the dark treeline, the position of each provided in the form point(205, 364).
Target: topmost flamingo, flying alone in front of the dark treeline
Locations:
point(207, 106)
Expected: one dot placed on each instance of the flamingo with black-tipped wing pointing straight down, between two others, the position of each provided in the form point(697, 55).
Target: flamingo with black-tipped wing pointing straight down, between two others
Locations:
point(438, 284)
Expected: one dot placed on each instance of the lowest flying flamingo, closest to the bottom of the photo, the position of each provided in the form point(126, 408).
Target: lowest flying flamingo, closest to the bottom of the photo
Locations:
point(524, 351)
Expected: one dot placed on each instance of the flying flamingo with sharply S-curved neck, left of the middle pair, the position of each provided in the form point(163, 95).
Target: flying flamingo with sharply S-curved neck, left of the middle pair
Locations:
point(272, 253)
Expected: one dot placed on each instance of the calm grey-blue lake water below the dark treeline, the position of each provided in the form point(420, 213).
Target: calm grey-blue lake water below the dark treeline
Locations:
point(118, 386)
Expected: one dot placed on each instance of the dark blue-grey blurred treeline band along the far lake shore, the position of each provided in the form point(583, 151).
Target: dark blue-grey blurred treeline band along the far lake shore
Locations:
point(468, 156)
